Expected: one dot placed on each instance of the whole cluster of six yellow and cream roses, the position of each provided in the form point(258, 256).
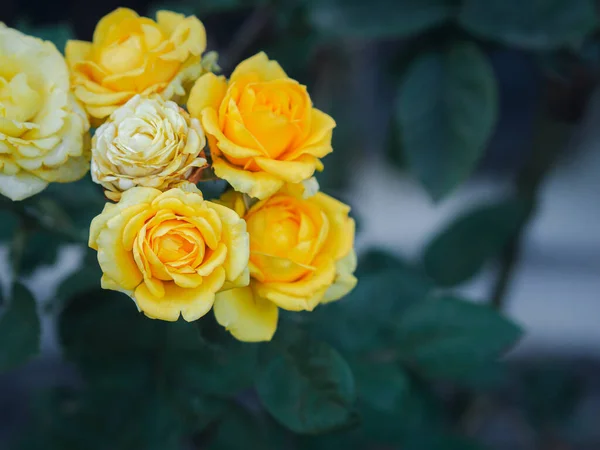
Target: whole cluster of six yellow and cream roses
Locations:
point(271, 241)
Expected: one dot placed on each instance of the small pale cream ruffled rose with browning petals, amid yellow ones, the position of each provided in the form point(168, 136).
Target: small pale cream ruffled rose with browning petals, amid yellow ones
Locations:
point(146, 142)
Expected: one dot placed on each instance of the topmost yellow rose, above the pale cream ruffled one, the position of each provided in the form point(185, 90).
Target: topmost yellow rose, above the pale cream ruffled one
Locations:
point(132, 55)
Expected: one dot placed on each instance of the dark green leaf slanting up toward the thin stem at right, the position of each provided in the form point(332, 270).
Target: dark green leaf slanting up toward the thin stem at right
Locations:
point(461, 250)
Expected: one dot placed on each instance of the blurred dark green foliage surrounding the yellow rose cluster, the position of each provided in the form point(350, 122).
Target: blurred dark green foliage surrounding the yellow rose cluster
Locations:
point(371, 371)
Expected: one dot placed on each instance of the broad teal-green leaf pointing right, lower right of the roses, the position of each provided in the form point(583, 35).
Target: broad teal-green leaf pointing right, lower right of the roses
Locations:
point(446, 337)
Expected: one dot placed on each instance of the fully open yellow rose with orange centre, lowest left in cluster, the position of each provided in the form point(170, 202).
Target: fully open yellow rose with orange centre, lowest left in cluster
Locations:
point(171, 252)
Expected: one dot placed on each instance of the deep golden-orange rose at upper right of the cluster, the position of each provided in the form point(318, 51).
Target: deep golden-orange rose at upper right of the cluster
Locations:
point(262, 128)
